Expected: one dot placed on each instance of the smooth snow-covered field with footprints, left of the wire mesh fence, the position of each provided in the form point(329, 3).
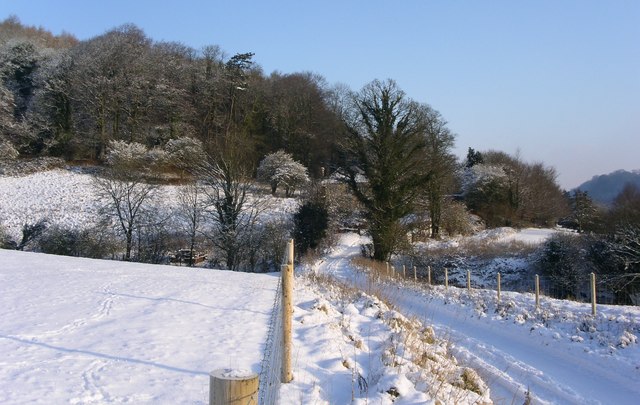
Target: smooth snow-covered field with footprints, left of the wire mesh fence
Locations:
point(84, 331)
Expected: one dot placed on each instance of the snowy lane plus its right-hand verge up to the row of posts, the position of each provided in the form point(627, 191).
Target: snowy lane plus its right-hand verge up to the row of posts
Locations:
point(559, 353)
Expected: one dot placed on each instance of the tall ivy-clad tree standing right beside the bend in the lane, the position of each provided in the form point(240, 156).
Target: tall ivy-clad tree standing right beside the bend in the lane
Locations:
point(384, 160)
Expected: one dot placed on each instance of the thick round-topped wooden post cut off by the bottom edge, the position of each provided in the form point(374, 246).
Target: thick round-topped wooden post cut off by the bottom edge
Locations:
point(233, 387)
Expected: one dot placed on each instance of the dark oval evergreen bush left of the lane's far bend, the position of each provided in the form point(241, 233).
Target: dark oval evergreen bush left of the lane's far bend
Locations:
point(310, 226)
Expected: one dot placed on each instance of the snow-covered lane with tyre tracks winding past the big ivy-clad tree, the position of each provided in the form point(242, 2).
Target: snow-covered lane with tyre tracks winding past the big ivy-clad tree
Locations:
point(512, 358)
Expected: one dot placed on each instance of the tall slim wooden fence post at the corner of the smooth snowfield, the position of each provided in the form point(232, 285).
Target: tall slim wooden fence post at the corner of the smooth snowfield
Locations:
point(287, 312)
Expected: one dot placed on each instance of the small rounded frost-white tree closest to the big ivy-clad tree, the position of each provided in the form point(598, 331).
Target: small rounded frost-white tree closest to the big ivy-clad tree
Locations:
point(279, 169)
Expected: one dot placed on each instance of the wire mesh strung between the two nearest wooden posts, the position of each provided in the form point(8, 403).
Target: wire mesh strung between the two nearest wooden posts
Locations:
point(271, 365)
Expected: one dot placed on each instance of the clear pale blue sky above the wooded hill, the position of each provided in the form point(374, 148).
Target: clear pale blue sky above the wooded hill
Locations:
point(556, 81)
